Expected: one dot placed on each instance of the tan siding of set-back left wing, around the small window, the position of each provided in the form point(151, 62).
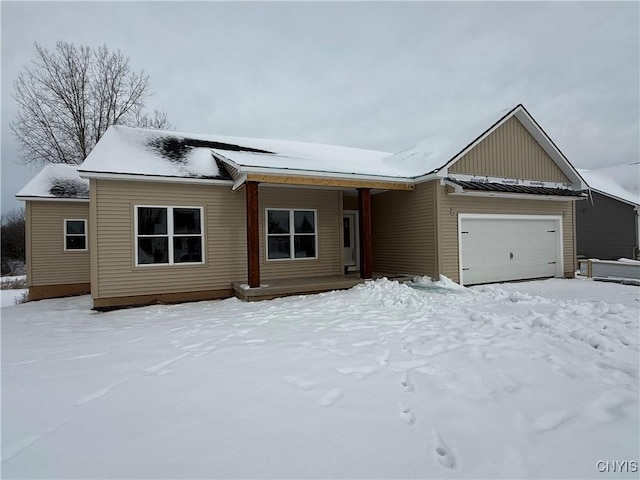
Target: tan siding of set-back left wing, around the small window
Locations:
point(48, 262)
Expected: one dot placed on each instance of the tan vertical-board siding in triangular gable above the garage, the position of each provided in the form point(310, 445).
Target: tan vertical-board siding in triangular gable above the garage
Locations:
point(510, 152)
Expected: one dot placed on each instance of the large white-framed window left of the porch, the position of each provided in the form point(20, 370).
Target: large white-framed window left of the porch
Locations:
point(168, 235)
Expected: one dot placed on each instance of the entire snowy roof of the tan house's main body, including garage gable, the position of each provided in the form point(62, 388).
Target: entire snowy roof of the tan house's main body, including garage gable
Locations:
point(156, 153)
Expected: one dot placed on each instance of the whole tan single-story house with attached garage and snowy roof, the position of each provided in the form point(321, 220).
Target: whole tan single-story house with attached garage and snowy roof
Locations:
point(175, 216)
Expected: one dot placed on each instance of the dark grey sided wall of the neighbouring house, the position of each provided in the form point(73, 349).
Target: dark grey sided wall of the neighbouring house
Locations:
point(606, 228)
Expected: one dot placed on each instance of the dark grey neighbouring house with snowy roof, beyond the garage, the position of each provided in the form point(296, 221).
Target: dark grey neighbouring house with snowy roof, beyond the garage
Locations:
point(607, 224)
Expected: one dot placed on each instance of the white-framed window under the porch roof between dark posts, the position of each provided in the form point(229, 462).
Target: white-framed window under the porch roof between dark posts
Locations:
point(291, 233)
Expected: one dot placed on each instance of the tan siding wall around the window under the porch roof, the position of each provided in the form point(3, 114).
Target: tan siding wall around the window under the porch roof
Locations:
point(329, 221)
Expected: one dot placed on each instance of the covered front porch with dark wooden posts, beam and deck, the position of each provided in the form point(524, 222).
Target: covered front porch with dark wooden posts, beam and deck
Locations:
point(296, 239)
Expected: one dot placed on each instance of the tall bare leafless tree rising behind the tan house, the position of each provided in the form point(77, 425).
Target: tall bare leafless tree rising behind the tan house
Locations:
point(69, 97)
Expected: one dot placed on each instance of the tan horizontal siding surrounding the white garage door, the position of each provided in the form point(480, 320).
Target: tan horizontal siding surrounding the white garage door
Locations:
point(450, 206)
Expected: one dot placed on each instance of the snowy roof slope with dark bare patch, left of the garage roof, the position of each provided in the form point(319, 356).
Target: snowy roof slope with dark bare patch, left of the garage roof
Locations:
point(128, 150)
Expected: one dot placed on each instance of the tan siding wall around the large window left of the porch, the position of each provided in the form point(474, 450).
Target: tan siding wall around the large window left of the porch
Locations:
point(224, 238)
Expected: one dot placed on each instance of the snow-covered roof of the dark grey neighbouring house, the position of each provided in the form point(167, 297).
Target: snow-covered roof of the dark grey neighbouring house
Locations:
point(621, 181)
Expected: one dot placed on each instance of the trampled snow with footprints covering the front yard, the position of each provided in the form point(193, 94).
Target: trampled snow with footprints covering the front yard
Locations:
point(522, 380)
